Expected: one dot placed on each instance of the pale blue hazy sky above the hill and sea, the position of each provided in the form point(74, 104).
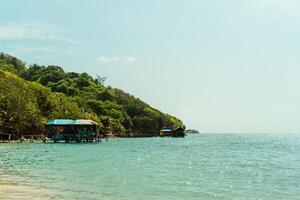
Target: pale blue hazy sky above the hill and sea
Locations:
point(219, 65)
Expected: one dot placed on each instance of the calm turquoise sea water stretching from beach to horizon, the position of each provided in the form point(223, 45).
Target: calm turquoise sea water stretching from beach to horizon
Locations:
point(204, 166)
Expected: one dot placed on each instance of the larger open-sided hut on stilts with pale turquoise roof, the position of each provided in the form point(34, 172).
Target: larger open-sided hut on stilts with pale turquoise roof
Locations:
point(72, 130)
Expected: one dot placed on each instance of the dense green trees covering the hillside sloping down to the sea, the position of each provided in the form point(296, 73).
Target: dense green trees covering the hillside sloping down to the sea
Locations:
point(31, 95)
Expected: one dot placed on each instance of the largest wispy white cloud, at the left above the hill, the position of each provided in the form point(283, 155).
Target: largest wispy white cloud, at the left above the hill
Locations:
point(34, 31)
